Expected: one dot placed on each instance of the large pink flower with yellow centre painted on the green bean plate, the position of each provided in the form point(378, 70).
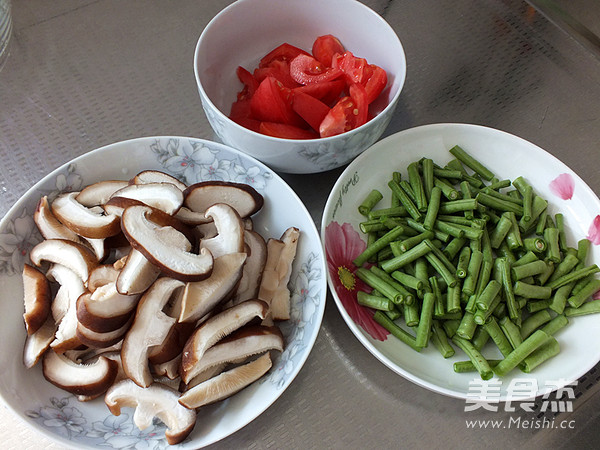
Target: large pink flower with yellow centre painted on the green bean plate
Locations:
point(342, 245)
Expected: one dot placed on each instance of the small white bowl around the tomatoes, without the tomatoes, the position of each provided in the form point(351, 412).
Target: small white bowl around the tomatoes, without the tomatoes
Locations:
point(248, 29)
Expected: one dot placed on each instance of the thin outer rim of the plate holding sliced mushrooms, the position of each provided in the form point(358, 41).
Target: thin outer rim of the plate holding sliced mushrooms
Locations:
point(321, 263)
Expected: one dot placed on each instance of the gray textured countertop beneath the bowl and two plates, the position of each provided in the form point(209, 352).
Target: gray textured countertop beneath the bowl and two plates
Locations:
point(83, 74)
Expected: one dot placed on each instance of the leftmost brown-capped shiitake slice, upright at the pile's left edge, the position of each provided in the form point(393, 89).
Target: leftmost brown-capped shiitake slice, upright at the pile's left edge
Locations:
point(37, 298)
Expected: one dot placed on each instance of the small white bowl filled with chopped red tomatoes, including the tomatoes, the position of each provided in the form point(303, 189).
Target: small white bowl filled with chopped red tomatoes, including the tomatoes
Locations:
point(304, 86)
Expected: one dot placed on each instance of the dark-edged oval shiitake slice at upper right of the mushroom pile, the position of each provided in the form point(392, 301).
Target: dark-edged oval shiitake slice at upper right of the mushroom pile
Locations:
point(242, 197)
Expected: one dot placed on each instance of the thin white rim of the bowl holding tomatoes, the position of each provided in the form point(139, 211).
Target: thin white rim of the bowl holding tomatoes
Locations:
point(390, 106)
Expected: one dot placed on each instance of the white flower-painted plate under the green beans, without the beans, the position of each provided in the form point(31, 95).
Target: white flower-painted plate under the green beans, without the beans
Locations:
point(509, 157)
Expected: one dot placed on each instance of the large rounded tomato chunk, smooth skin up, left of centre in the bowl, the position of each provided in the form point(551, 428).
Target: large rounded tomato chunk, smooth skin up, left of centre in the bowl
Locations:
point(272, 102)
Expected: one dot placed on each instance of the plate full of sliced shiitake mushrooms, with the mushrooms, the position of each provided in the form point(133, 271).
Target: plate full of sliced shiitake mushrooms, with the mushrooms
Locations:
point(142, 296)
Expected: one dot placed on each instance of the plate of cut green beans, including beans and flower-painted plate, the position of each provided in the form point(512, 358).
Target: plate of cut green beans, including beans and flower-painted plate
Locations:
point(462, 255)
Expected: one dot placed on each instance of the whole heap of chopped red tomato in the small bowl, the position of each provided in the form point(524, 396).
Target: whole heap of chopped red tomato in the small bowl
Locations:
point(294, 94)
